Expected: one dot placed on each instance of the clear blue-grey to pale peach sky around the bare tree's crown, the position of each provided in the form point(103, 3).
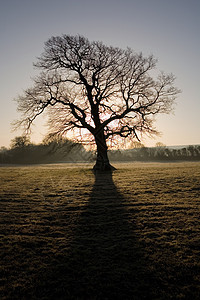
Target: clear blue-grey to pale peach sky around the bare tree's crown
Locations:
point(167, 29)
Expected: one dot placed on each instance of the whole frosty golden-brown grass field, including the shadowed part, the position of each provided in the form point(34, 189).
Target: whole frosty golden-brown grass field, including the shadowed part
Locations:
point(66, 233)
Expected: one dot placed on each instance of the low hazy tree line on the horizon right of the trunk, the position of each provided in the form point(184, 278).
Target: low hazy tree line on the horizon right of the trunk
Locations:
point(159, 153)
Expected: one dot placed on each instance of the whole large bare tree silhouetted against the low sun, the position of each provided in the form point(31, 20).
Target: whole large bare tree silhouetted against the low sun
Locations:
point(92, 88)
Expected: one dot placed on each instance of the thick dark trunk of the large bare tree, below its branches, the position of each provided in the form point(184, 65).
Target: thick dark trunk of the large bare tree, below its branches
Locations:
point(102, 161)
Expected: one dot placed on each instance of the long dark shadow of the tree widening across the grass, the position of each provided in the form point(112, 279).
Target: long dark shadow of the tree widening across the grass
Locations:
point(105, 260)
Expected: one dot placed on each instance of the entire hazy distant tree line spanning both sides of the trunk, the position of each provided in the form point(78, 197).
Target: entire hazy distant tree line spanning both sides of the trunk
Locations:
point(52, 150)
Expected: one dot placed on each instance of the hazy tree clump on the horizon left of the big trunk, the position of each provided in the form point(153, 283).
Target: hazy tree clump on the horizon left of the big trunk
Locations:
point(51, 150)
